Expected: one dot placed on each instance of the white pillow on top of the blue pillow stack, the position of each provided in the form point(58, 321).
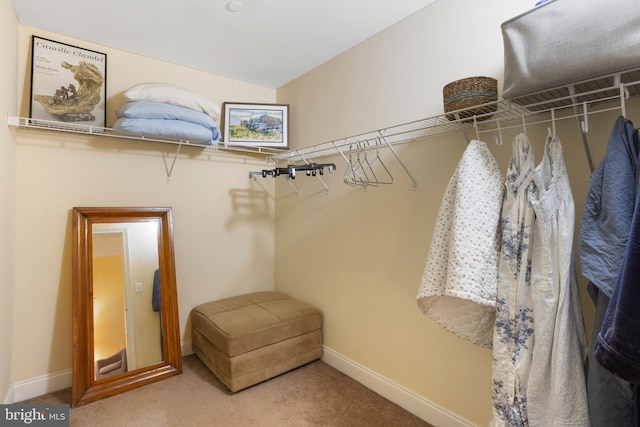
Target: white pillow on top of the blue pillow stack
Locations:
point(172, 94)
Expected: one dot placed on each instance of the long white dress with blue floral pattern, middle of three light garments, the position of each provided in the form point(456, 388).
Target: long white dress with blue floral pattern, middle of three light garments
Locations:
point(514, 327)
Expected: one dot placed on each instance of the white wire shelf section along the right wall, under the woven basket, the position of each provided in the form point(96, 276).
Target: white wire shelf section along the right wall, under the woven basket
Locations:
point(601, 89)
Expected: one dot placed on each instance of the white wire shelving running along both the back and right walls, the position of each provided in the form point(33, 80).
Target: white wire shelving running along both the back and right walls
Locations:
point(581, 98)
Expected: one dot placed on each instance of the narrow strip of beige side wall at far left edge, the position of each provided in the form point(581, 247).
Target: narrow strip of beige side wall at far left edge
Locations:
point(8, 102)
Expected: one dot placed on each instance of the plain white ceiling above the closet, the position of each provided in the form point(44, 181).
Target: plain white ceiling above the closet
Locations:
point(265, 42)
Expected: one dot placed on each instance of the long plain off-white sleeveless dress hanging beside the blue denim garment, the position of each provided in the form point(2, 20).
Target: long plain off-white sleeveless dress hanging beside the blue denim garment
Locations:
point(556, 388)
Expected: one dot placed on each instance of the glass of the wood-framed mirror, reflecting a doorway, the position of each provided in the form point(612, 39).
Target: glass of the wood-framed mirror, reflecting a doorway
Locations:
point(126, 298)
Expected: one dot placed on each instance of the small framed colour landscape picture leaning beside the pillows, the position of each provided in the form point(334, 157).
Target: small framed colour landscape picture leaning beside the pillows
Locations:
point(263, 125)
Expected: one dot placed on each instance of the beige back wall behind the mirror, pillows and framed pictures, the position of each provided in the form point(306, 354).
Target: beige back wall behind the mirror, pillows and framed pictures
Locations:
point(221, 248)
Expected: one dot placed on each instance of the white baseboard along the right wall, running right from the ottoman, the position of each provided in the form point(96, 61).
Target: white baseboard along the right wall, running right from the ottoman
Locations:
point(402, 397)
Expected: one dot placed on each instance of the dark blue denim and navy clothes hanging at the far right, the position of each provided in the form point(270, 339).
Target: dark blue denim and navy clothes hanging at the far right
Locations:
point(609, 258)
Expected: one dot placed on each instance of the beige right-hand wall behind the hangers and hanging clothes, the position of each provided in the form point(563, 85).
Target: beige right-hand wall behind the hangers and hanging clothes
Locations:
point(359, 255)
